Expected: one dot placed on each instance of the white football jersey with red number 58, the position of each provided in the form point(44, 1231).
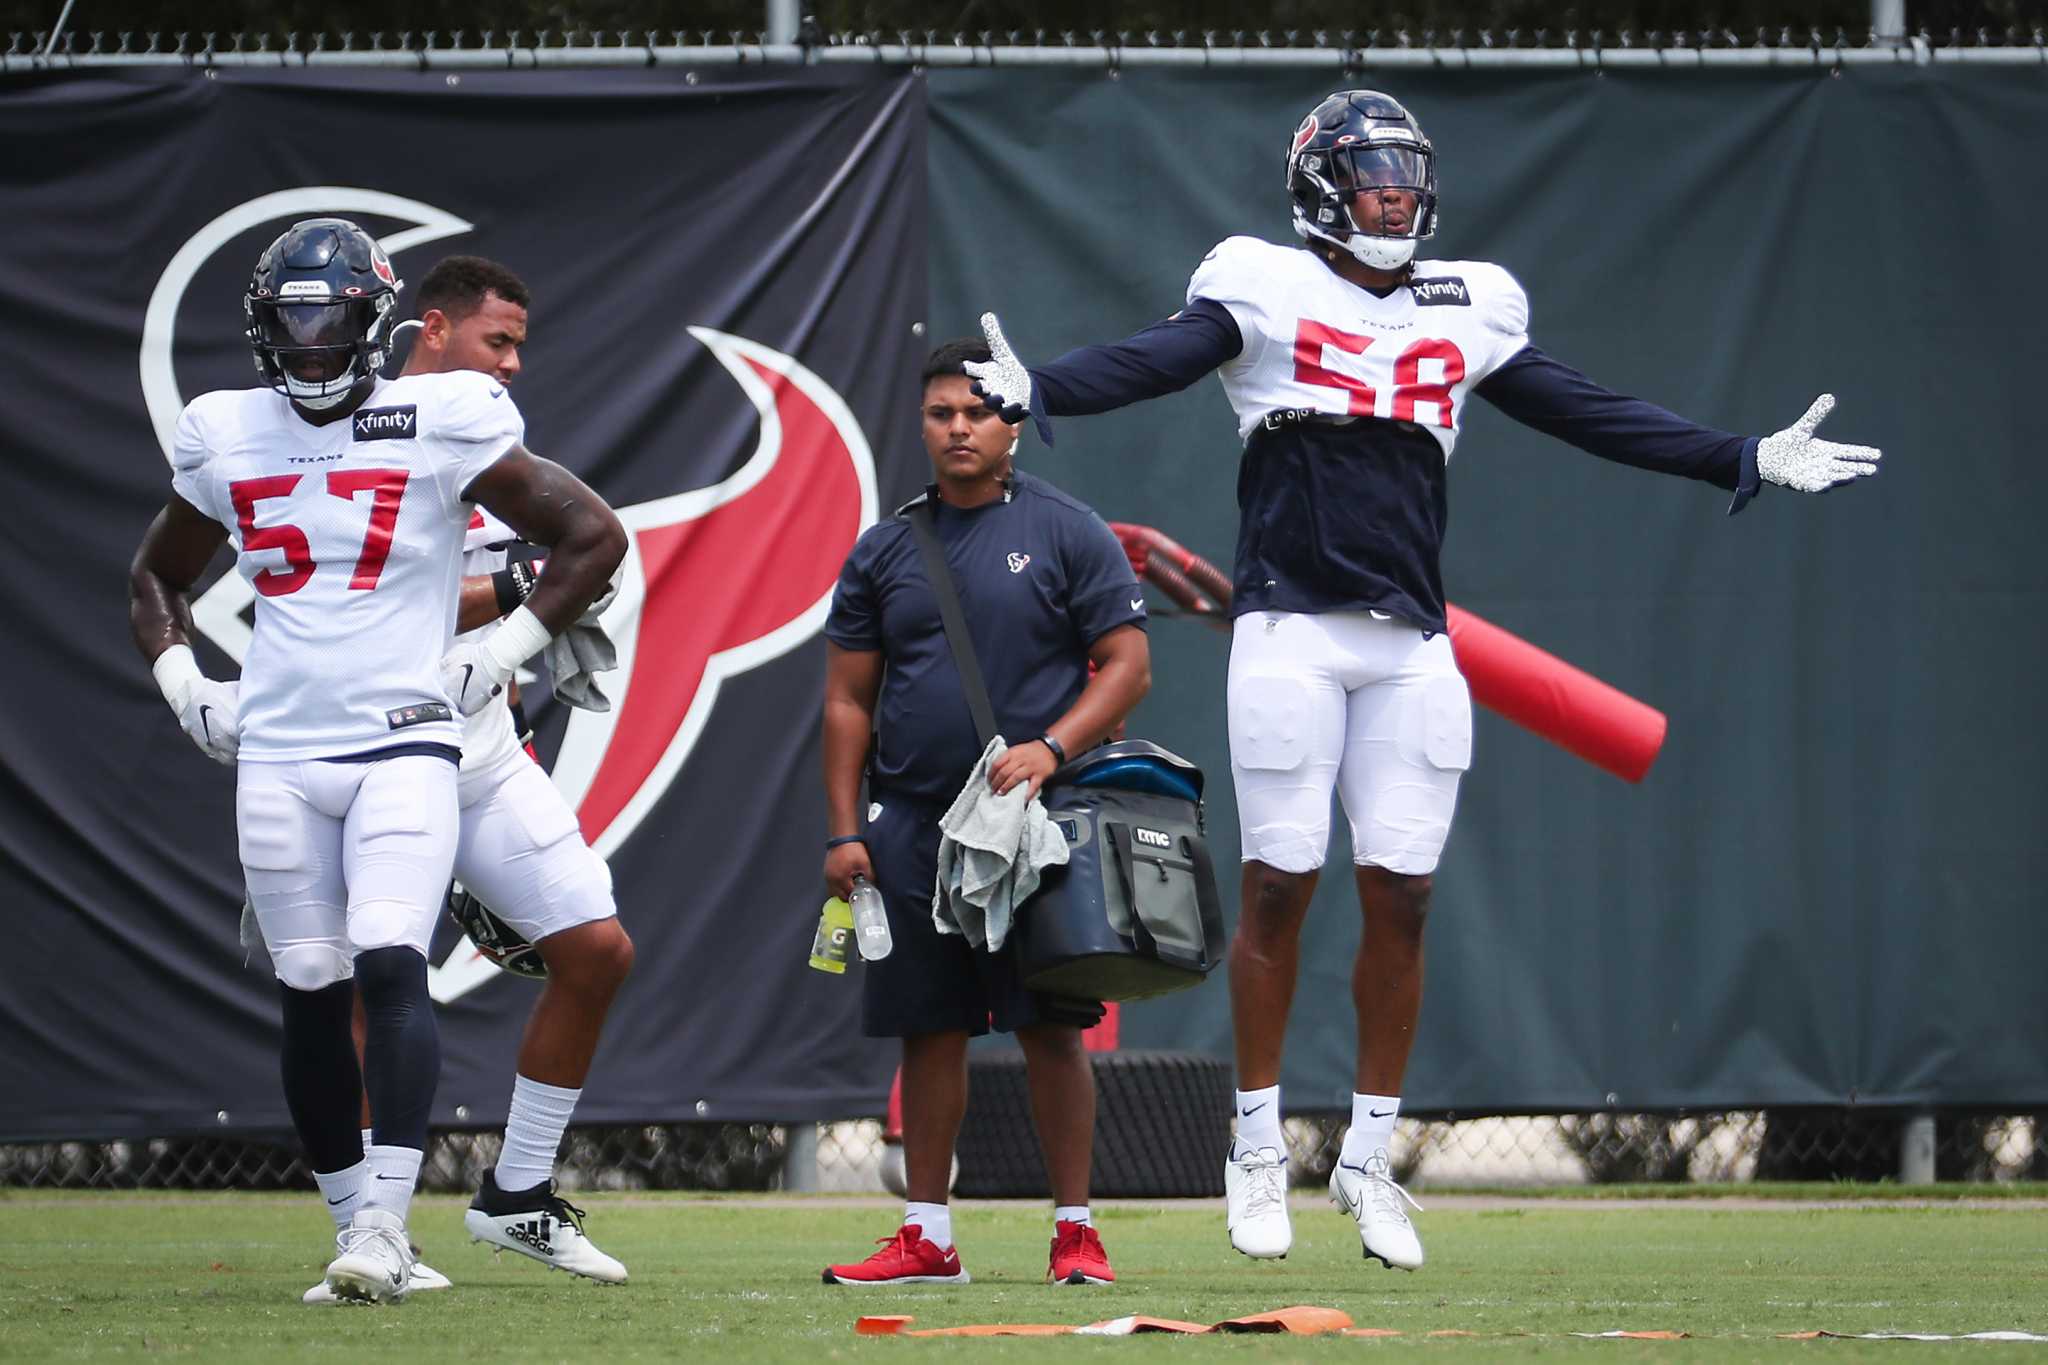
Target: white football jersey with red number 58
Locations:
point(1318, 343)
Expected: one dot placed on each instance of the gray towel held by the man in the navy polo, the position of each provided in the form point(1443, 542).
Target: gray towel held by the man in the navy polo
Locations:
point(992, 852)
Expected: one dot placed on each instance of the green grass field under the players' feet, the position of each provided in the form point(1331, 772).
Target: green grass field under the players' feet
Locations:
point(738, 1280)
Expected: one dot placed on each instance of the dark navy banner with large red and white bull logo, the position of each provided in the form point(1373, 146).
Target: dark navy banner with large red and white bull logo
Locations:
point(726, 333)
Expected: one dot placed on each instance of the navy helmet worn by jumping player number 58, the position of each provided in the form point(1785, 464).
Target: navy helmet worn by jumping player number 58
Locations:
point(1361, 140)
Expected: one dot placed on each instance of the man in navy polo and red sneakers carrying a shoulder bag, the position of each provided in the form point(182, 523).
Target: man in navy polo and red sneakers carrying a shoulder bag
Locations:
point(1046, 590)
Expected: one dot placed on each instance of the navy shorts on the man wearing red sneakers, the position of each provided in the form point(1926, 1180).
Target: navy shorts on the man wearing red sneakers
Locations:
point(931, 981)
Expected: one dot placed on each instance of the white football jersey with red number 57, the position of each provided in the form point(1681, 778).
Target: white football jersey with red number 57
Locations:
point(353, 539)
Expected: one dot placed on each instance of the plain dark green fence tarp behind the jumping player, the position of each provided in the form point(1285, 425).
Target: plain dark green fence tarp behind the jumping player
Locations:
point(1830, 889)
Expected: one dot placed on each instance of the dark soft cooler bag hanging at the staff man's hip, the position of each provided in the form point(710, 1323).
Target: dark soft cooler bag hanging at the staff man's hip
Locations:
point(1136, 910)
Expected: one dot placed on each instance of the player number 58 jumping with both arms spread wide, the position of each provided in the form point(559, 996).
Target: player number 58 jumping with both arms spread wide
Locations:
point(1349, 365)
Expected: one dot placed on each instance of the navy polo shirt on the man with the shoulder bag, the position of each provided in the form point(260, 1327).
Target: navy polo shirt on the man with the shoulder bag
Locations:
point(1041, 580)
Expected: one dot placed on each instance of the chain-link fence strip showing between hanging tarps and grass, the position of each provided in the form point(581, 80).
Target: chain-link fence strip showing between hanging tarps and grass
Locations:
point(849, 1157)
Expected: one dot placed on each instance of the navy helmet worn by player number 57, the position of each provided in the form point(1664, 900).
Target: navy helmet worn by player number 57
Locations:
point(321, 312)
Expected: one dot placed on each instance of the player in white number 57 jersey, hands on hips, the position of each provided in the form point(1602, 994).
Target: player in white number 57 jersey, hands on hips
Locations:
point(347, 498)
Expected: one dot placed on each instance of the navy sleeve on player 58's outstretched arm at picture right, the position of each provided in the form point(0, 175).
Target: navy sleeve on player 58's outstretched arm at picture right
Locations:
point(1562, 402)
